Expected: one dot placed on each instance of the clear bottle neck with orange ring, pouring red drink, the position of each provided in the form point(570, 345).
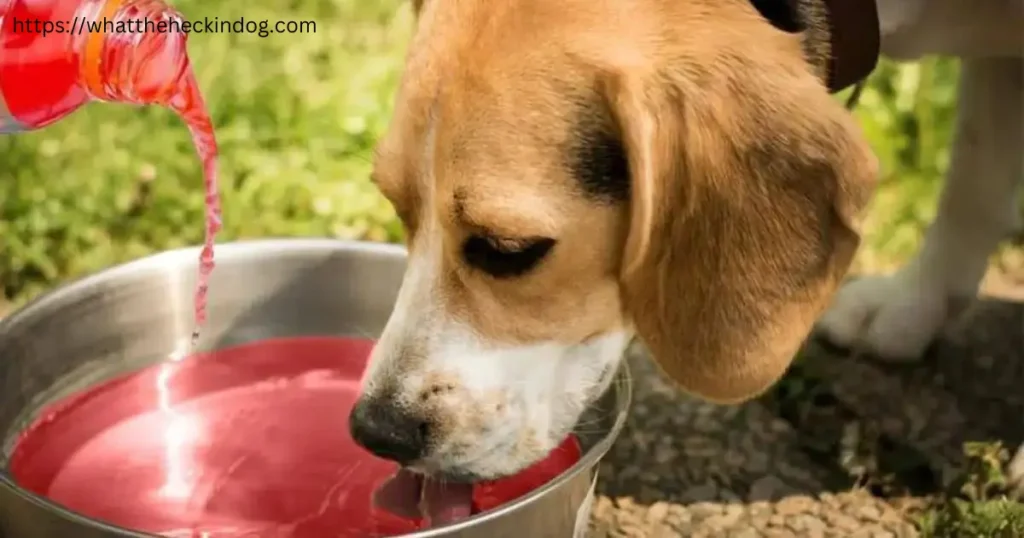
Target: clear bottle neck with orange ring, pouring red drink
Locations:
point(132, 52)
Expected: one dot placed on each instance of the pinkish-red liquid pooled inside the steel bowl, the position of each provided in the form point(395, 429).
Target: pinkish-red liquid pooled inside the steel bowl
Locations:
point(249, 442)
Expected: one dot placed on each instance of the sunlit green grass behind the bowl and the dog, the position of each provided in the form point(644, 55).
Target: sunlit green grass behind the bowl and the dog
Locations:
point(296, 117)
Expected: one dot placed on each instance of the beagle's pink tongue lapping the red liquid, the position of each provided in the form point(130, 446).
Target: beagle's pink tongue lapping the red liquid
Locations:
point(414, 496)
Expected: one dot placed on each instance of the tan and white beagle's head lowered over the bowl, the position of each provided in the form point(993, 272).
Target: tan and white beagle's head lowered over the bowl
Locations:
point(573, 174)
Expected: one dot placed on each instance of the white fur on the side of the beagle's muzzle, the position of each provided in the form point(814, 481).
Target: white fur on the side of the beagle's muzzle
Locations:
point(546, 388)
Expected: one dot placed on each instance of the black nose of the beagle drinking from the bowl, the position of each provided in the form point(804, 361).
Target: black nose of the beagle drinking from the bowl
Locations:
point(389, 431)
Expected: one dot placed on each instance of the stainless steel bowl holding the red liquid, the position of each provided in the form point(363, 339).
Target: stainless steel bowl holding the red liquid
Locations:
point(138, 314)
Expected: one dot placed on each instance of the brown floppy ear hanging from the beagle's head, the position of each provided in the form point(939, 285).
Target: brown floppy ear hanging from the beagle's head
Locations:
point(747, 188)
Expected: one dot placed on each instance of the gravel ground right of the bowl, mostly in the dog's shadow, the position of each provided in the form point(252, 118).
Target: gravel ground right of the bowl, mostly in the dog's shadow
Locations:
point(774, 469)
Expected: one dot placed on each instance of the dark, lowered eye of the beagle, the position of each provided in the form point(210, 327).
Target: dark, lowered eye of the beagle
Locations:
point(505, 258)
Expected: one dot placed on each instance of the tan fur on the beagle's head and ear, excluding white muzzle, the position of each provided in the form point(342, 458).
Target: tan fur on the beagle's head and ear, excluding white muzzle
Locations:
point(747, 178)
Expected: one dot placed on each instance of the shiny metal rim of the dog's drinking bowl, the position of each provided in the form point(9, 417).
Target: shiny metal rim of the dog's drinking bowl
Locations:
point(189, 257)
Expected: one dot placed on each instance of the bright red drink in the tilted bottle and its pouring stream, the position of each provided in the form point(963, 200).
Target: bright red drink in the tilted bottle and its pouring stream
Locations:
point(57, 56)
